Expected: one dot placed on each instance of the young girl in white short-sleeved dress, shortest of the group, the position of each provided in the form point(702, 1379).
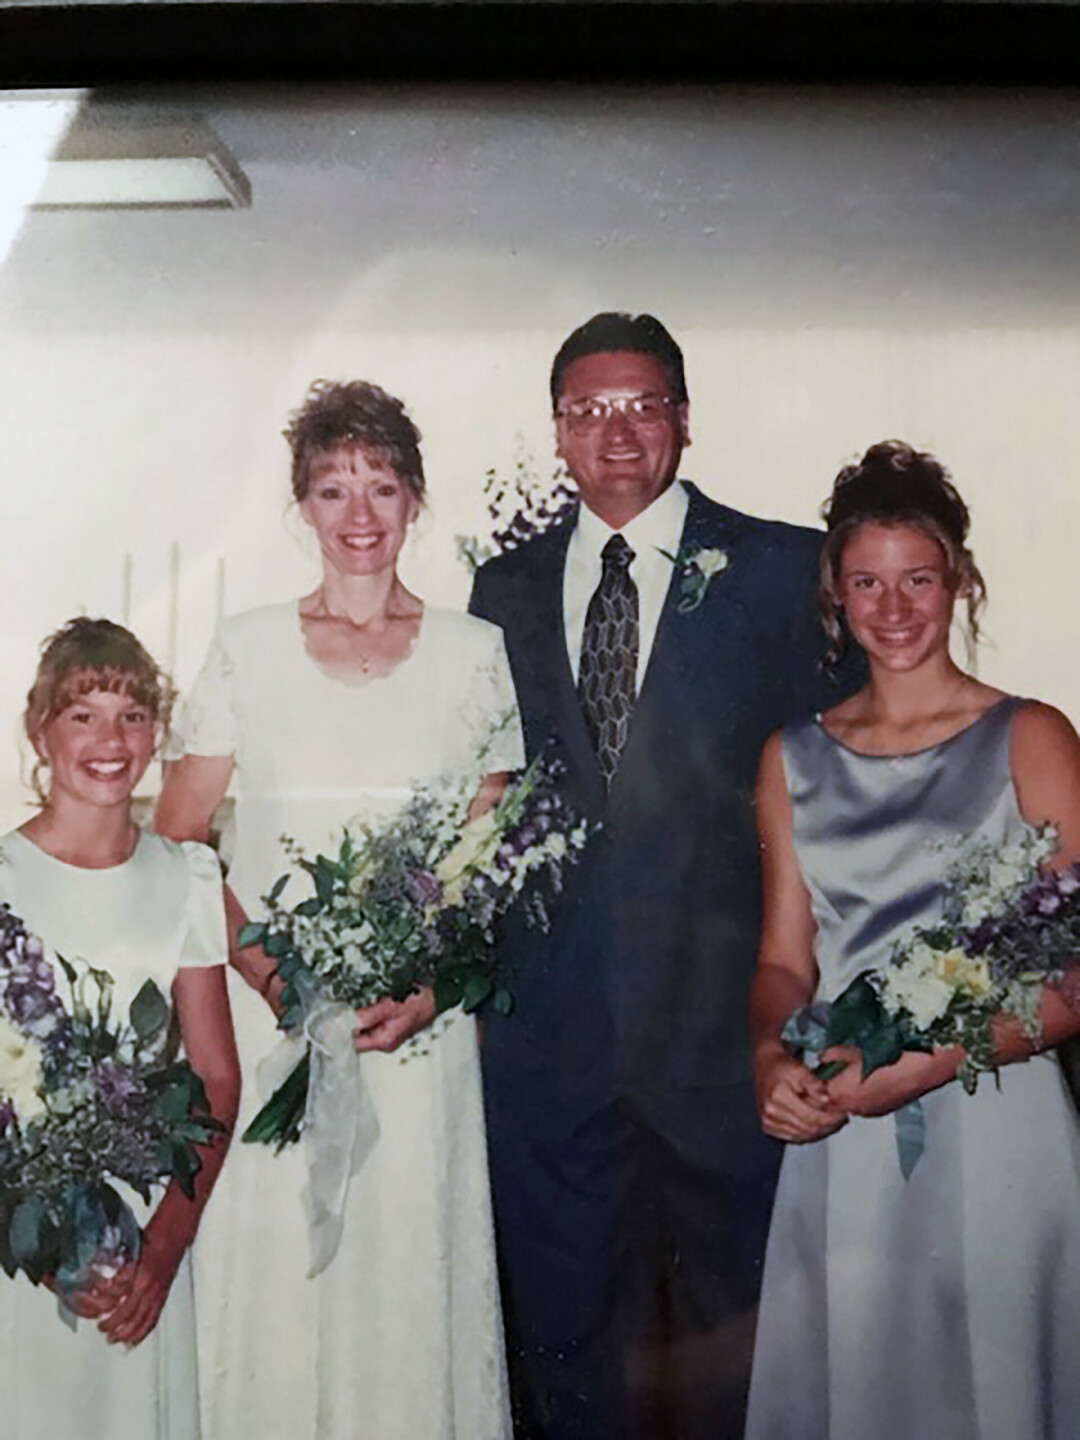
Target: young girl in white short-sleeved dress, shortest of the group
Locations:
point(96, 889)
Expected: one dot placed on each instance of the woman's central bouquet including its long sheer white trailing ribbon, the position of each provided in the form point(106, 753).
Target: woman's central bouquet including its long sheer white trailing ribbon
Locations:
point(413, 902)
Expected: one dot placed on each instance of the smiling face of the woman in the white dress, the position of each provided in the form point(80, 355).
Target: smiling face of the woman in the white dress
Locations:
point(359, 509)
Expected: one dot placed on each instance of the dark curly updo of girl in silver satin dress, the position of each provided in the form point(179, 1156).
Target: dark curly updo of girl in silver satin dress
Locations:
point(896, 485)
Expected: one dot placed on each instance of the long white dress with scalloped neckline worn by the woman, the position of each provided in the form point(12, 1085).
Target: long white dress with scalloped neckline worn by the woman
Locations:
point(401, 1337)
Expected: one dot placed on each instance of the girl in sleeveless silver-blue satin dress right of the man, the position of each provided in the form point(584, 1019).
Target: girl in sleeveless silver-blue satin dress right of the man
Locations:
point(945, 1307)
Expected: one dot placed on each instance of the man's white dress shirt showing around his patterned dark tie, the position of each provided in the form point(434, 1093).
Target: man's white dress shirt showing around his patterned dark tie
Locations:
point(660, 528)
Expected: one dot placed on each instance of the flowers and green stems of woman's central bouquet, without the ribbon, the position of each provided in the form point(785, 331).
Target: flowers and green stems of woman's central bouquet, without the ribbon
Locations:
point(405, 905)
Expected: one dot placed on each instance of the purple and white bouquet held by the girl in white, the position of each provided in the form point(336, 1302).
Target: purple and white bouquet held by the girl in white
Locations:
point(84, 1101)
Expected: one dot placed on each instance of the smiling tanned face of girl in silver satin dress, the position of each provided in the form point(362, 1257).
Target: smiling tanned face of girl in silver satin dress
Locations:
point(898, 593)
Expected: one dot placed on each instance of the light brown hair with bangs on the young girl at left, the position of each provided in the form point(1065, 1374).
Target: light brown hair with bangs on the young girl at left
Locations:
point(93, 654)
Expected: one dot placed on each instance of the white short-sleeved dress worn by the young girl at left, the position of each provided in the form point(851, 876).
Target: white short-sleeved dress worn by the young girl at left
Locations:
point(145, 919)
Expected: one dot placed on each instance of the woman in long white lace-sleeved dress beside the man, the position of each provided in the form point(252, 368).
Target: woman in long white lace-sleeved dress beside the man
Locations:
point(325, 709)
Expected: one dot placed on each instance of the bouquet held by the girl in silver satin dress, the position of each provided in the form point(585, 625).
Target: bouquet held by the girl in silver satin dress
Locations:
point(1007, 930)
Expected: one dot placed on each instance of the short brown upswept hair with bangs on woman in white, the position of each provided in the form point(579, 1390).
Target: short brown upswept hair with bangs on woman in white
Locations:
point(355, 413)
